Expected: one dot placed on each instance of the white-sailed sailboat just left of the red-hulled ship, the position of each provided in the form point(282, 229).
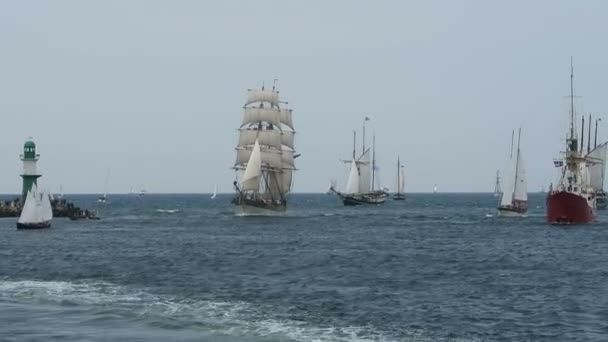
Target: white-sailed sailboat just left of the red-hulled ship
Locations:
point(514, 199)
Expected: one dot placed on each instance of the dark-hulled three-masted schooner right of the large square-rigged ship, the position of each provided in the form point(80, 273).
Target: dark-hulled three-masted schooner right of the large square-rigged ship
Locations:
point(360, 187)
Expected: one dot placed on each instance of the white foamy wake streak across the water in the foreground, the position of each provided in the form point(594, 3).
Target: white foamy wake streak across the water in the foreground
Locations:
point(223, 318)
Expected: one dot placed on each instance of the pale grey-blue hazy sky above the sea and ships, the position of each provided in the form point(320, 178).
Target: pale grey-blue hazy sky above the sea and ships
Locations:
point(153, 90)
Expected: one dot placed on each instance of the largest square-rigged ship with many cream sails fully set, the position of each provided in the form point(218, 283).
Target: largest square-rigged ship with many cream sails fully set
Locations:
point(265, 155)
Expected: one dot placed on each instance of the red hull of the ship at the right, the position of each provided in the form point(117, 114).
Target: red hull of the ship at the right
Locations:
point(565, 207)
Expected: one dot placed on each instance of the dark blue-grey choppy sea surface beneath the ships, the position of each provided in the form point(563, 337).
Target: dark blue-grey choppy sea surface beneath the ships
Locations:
point(431, 268)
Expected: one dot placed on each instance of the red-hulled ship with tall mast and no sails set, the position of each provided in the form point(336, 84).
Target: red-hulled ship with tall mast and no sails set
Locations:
point(573, 199)
